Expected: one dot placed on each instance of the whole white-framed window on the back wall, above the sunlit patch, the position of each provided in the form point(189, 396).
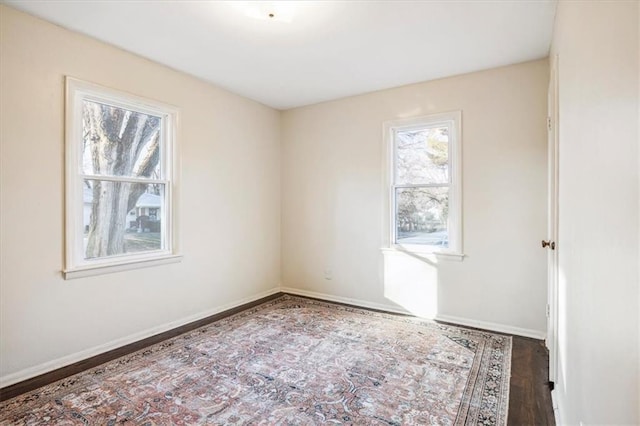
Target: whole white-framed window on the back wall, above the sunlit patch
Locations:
point(424, 183)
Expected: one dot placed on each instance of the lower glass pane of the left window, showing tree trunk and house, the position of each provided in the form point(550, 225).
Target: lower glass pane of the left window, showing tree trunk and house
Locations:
point(121, 217)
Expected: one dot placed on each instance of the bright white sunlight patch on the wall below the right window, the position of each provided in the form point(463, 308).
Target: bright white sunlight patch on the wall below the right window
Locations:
point(411, 281)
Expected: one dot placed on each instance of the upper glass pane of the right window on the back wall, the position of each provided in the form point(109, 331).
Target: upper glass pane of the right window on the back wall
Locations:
point(422, 156)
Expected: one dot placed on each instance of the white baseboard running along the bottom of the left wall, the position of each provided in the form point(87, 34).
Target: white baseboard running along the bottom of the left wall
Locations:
point(48, 366)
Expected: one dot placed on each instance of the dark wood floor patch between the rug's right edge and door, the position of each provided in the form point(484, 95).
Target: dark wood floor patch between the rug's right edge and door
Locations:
point(529, 393)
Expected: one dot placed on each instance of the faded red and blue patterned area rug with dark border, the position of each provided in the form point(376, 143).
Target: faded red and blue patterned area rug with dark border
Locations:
point(292, 361)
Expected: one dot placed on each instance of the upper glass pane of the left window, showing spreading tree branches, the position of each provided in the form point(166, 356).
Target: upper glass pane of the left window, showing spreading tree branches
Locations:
point(119, 142)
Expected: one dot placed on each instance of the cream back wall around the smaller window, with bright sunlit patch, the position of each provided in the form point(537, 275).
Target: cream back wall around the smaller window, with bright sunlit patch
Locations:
point(332, 208)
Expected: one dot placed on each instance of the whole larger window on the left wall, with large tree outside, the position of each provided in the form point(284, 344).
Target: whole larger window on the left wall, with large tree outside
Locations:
point(120, 181)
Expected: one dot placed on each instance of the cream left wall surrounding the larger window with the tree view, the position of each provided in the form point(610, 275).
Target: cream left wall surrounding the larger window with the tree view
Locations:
point(230, 206)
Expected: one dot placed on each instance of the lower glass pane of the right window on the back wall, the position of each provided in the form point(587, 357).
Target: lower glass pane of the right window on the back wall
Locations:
point(421, 216)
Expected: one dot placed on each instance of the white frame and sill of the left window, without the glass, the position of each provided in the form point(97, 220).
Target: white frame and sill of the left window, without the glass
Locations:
point(76, 265)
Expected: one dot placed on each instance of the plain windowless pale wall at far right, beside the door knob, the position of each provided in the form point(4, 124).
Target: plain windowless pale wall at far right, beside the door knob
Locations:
point(598, 47)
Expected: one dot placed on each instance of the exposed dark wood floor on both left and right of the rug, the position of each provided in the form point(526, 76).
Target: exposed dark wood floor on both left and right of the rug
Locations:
point(529, 397)
